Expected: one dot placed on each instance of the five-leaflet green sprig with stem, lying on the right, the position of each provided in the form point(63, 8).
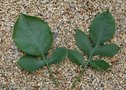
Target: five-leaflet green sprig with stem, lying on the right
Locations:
point(102, 29)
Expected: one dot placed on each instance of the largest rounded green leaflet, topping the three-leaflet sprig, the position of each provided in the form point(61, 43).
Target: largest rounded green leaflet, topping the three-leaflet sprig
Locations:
point(32, 35)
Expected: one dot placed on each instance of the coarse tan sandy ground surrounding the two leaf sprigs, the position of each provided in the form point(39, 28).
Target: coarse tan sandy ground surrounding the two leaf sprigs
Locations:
point(63, 17)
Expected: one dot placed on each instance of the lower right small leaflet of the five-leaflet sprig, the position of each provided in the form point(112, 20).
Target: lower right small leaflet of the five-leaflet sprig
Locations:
point(99, 64)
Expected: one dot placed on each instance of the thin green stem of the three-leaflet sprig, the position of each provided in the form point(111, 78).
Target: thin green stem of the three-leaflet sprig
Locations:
point(50, 70)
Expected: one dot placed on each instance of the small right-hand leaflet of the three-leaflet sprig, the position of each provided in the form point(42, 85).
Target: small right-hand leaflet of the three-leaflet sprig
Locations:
point(58, 55)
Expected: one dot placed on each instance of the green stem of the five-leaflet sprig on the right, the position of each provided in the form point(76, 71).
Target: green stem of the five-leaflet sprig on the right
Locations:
point(82, 71)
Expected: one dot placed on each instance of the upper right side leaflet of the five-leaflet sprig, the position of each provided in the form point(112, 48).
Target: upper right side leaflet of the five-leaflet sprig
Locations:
point(107, 50)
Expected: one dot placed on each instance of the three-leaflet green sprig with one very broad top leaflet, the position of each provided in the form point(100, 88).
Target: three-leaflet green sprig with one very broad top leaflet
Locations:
point(33, 36)
